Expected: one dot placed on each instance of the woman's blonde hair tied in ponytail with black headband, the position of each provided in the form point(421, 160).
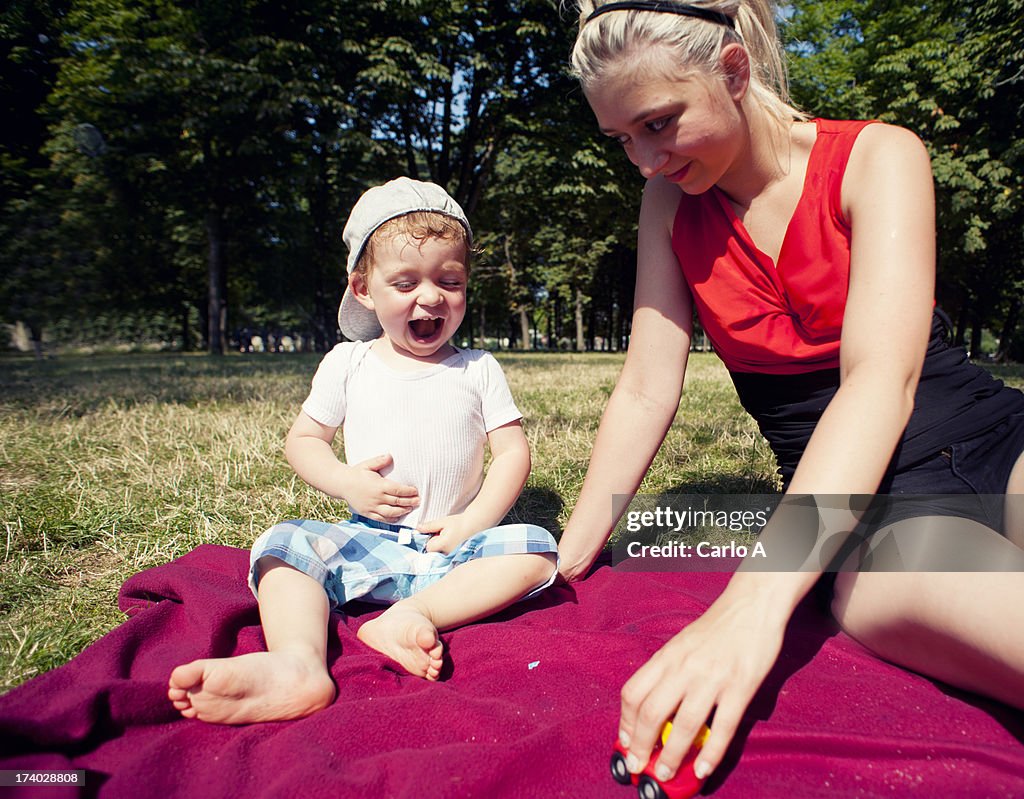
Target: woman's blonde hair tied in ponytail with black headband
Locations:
point(605, 41)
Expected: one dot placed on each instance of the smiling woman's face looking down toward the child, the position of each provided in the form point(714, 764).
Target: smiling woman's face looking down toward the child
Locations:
point(685, 129)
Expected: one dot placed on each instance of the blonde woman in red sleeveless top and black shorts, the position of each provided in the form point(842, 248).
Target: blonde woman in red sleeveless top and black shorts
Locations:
point(807, 249)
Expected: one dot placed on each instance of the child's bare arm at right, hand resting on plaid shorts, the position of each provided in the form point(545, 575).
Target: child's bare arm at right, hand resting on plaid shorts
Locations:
point(509, 470)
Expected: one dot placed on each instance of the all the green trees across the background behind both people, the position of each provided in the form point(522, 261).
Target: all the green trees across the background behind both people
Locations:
point(196, 161)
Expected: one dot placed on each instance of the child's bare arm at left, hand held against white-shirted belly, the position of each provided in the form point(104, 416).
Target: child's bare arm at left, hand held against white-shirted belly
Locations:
point(309, 450)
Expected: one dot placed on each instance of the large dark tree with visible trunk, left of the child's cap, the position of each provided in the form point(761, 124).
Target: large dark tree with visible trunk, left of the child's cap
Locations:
point(197, 105)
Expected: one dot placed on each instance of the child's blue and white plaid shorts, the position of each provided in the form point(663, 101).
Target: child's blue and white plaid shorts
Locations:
point(379, 563)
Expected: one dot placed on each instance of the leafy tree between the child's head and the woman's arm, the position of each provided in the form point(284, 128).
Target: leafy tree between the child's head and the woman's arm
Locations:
point(562, 213)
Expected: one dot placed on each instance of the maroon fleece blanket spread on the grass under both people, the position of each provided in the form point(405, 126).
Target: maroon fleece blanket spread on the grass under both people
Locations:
point(527, 706)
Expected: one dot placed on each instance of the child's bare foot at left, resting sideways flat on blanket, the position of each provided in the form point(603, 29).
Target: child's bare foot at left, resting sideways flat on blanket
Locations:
point(260, 687)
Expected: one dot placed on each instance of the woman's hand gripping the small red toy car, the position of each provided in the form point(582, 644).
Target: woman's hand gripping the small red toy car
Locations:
point(715, 664)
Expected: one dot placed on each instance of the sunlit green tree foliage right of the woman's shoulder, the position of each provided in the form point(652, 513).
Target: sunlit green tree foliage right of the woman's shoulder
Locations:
point(952, 73)
